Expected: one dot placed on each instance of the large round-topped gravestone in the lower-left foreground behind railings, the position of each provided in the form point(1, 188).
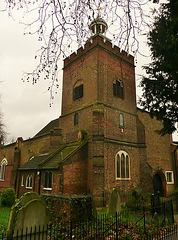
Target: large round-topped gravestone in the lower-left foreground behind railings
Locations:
point(29, 218)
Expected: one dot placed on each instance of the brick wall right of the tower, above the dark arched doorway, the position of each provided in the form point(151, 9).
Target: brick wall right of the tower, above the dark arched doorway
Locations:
point(158, 147)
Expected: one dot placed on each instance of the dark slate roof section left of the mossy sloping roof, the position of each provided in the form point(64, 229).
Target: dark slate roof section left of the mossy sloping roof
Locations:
point(32, 164)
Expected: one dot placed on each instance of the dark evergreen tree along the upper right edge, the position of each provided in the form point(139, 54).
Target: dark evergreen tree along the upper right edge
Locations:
point(160, 95)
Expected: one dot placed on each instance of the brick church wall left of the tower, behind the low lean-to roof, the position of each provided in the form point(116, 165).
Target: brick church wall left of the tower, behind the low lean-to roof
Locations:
point(28, 148)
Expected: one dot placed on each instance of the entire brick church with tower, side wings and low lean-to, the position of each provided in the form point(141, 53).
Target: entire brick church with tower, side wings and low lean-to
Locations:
point(101, 140)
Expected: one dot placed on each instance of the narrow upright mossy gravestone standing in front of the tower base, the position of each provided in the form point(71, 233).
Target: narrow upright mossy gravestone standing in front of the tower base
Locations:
point(114, 202)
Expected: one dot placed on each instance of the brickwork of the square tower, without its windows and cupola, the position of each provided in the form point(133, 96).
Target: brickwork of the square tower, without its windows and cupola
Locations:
point(98, 65)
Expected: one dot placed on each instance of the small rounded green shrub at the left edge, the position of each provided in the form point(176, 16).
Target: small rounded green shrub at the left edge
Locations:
point(8, 197)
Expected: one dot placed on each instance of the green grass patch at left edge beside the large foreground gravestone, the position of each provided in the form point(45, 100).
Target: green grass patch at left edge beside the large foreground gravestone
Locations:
point(4, 213)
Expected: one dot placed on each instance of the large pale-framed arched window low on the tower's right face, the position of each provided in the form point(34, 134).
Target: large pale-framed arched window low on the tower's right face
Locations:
point(122, 161)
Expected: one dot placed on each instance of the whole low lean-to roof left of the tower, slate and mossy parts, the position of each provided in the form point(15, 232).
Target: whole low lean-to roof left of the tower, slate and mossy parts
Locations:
point(52, 161)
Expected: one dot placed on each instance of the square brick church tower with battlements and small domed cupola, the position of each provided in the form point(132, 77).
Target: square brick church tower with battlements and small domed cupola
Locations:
point(99, 97)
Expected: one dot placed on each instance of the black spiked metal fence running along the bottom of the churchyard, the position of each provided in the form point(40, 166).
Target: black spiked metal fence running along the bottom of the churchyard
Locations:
point(155, 222)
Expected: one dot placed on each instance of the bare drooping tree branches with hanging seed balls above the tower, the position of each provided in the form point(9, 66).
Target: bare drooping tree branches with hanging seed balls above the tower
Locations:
point(63, 26)
